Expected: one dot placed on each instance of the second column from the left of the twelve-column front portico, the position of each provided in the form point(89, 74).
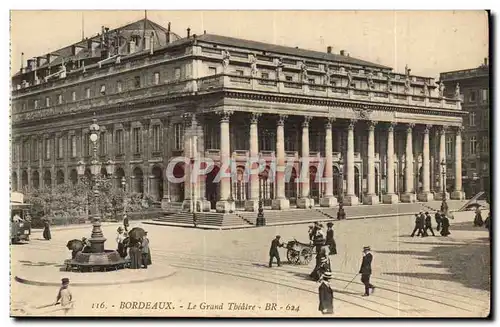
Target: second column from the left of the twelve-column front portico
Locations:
point(252, 204)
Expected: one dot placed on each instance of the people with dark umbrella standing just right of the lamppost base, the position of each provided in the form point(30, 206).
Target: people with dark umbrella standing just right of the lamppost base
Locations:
point(137, 250)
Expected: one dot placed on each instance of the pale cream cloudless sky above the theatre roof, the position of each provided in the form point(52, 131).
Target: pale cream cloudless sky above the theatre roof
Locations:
point(429, 42)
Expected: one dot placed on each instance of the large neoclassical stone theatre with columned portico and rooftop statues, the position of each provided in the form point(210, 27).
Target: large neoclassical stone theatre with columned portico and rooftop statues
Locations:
point(157, 95)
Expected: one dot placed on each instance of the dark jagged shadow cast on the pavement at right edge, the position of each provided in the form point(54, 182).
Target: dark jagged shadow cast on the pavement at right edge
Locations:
point(467, 263)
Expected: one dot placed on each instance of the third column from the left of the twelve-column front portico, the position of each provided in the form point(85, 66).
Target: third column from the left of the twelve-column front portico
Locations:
point(280, 202)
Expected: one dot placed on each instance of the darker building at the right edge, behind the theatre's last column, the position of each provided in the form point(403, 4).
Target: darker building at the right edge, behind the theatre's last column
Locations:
point(474, 93)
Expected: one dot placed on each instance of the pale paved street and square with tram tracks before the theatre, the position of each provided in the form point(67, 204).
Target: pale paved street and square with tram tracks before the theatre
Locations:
point(433, 276)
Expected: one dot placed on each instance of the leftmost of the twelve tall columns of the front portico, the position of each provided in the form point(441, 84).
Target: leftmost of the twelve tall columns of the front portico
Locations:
point(224, 205)
